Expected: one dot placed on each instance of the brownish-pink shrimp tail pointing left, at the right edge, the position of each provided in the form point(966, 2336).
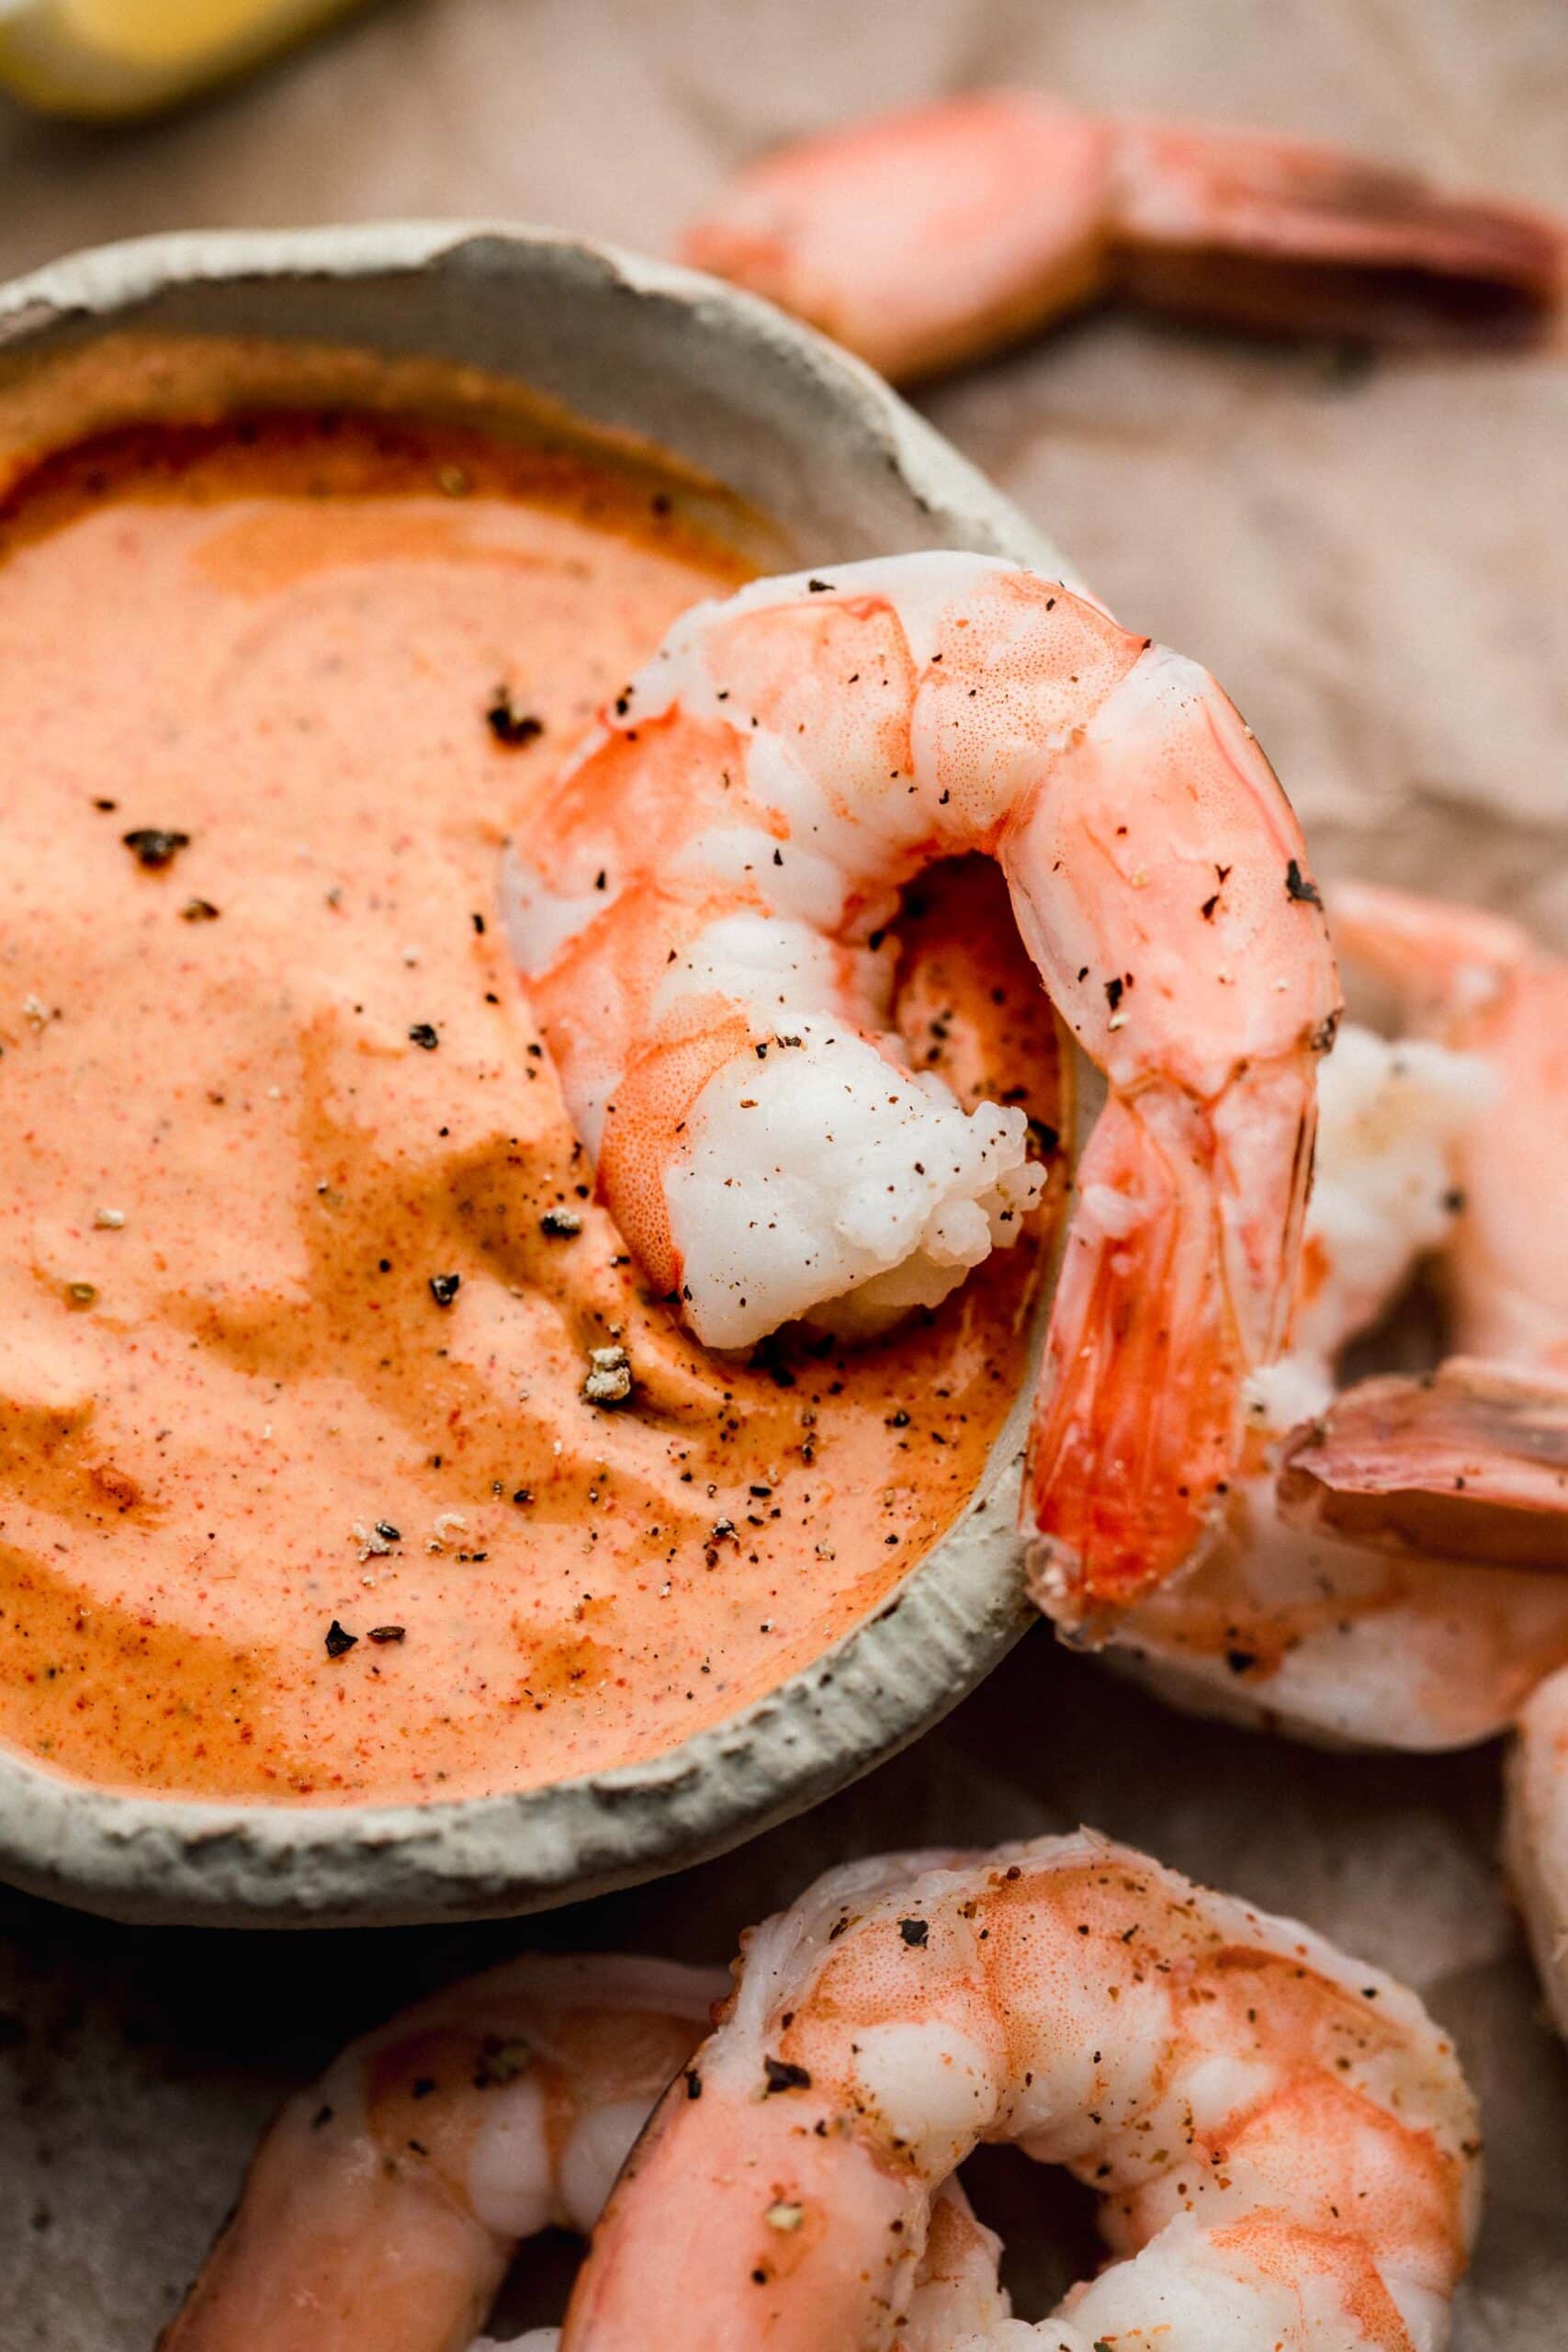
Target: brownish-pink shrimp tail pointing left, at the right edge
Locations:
point(1470, 1464)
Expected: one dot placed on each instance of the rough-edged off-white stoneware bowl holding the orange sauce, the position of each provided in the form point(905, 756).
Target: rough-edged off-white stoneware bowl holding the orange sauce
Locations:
point(843, 469)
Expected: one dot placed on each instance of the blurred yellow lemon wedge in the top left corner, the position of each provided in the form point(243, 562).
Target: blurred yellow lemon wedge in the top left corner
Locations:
point(126, 58)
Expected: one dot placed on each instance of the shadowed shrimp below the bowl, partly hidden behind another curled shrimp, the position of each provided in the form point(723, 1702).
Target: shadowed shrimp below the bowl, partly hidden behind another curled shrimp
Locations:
point(387, 2203)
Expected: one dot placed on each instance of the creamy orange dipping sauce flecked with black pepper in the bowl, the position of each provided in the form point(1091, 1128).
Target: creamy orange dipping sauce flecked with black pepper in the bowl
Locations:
point(269, 1085)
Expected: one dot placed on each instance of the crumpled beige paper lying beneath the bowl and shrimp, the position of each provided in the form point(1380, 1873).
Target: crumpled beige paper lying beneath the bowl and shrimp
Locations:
point(1376, 568)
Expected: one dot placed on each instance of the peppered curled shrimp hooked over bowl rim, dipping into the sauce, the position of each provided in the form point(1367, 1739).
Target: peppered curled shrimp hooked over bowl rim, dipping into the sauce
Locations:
point(702, 909)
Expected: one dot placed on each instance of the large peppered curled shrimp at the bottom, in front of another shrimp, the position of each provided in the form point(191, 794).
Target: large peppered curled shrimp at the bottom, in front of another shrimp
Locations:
point(1282, 2139)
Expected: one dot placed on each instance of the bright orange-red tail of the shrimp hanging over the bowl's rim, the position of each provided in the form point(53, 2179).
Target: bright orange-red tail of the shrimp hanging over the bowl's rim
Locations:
point(1139, 1415)
